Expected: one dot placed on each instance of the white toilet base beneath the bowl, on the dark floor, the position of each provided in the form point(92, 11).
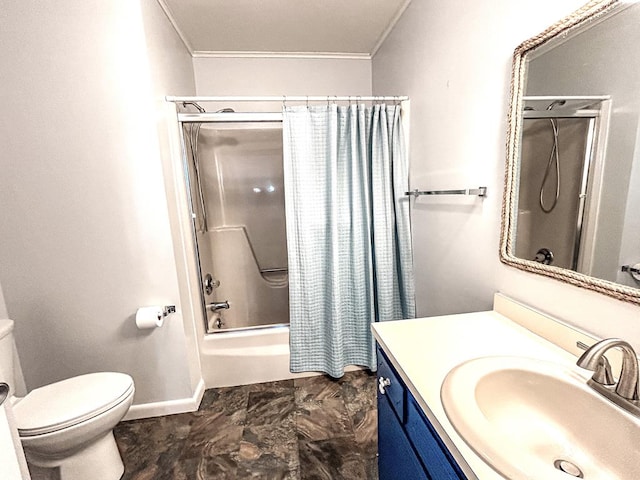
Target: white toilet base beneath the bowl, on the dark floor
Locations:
point(98, 461)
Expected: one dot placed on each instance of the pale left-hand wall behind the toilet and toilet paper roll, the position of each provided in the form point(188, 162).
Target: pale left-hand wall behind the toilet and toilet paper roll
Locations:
point(85, 237)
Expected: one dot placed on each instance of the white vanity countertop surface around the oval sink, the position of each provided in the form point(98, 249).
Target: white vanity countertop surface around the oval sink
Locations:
point(424, 350)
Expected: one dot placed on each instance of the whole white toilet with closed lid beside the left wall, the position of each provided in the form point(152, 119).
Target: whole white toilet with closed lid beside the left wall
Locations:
point(68, 426)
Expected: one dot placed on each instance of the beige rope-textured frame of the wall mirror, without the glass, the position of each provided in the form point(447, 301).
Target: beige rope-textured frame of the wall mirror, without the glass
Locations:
point(577, 19)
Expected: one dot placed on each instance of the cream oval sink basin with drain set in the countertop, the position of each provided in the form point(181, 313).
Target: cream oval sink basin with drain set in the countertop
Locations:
point(531, 419)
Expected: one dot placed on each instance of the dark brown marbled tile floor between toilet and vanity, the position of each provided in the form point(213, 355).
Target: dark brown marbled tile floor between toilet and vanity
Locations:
point(311, 428)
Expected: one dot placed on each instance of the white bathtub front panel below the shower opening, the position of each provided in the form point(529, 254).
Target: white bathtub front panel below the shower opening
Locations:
point(244, 357)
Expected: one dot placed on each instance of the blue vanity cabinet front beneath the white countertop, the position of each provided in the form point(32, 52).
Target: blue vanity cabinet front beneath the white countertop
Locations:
point(408, 446)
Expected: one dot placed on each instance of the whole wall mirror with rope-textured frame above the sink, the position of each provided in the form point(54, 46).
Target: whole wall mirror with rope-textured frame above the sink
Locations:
point(572, 187)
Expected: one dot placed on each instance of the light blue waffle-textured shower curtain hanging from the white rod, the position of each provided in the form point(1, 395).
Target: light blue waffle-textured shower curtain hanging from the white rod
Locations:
point(348, 231)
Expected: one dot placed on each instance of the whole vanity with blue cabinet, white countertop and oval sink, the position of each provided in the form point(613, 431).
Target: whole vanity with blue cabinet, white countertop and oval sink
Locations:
point(494, 395)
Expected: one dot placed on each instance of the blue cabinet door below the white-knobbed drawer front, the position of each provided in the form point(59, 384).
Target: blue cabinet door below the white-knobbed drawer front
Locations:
point(396, 458)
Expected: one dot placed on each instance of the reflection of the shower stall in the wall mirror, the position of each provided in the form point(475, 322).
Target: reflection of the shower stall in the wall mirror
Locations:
point(557, 169)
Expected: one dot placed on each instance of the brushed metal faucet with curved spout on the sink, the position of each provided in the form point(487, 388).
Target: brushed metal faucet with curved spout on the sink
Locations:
point(626, 393)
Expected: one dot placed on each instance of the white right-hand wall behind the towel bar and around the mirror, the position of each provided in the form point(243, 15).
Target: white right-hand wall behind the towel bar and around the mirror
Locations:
point(454, 60)
